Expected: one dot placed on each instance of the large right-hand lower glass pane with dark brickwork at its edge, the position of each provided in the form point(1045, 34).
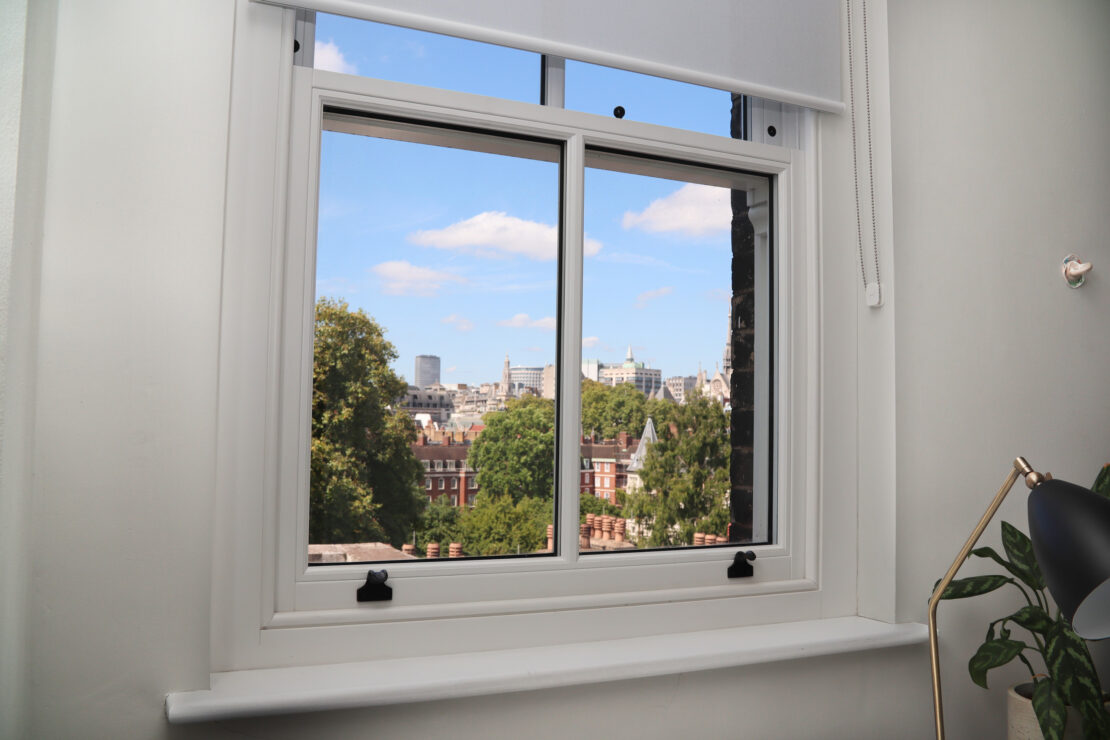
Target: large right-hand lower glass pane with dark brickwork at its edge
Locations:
point(670, 358)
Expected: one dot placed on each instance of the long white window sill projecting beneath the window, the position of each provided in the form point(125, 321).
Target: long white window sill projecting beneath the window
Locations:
point(348, 686)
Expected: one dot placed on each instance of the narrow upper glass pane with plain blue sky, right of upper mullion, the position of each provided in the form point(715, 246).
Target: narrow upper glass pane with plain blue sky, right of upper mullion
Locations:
point(596, 89)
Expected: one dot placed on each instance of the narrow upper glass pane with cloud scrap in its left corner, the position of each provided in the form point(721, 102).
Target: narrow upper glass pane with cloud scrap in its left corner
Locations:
point(390, 53)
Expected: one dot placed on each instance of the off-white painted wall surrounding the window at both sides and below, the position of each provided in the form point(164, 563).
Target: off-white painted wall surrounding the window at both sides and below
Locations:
point(998, 113)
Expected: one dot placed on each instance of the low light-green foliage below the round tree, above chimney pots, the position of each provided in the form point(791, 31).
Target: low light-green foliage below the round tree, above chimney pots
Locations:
point(498, 525)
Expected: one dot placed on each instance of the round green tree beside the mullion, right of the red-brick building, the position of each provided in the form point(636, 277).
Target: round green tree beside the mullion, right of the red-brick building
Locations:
point(516, 454)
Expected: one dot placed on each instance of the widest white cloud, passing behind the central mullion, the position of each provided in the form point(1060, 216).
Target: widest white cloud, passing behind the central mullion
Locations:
point(495, 234)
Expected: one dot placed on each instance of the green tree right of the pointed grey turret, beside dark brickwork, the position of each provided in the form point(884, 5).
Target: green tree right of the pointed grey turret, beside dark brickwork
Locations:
point(687, 479)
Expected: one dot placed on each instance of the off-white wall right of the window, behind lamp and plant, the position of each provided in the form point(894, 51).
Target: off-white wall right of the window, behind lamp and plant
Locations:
point(1002, 167)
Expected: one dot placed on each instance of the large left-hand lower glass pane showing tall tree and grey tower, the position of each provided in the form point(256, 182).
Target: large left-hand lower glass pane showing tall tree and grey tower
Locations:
point(433, 411)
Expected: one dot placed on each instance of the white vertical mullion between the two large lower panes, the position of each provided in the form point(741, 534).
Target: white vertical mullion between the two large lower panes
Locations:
point(570, 358)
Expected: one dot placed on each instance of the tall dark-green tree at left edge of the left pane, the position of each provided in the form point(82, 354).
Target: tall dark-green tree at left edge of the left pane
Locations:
point(365, 482)
